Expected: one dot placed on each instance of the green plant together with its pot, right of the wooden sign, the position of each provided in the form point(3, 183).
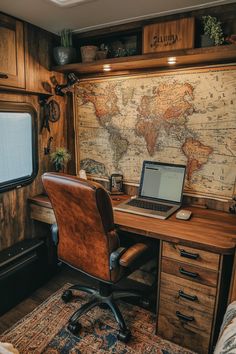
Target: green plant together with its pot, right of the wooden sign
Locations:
point(212, 30)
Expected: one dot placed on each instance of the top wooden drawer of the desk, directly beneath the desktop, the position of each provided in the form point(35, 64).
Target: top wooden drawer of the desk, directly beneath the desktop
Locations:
point(191, 255)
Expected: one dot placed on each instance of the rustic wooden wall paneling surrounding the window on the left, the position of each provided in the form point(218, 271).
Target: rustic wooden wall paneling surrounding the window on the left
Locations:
point(15, 224)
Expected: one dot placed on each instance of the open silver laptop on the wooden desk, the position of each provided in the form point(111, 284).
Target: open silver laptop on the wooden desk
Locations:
point(160, 192)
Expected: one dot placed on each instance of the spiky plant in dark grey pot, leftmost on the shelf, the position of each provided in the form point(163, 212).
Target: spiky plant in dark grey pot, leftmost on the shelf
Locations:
point(65, 53)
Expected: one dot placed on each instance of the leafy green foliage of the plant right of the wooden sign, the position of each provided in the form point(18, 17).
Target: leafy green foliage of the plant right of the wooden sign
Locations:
point(212, 27)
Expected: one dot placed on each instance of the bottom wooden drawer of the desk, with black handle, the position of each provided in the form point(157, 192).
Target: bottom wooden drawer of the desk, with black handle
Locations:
point(193, 334)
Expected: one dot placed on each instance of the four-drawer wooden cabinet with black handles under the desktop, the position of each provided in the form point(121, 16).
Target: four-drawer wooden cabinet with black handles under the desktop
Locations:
point(190, 281)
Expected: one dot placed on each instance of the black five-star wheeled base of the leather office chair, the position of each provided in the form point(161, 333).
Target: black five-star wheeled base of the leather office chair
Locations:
point(104, 298)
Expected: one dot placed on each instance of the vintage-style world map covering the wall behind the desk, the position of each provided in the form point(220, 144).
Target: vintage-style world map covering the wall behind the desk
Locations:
point(186, 117)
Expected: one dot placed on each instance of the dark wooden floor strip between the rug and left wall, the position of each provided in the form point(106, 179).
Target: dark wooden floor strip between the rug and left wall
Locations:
point(65, 275)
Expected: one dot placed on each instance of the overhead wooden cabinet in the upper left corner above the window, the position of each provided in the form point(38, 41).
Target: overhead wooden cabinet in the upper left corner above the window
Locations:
point(25, 57)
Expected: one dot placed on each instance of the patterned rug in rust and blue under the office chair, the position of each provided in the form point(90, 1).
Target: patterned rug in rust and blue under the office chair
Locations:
point(45, 331)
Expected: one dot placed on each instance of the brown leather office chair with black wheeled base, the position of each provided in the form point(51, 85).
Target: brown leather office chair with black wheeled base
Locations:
point(89, 242)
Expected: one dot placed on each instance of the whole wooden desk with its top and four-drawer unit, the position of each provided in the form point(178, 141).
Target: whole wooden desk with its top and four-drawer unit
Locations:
point(204, 246)
